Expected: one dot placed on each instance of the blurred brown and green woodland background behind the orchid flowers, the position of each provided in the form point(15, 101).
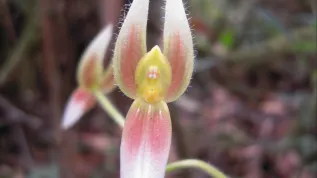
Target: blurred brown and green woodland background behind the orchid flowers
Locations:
point(251, 109)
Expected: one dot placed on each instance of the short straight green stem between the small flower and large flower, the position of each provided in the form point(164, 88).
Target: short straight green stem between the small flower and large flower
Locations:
point(110, 108)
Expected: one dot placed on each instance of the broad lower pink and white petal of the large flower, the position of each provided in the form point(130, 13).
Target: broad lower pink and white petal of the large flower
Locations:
point(146, 141)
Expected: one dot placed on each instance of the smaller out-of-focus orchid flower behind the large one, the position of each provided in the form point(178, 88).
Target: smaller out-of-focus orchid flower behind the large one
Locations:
point(91, 77)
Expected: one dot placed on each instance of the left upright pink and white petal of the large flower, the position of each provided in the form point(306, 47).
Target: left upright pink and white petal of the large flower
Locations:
point(130, 46)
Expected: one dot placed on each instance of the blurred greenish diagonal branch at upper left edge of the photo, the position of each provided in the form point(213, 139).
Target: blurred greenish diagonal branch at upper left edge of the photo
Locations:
point(28, 39)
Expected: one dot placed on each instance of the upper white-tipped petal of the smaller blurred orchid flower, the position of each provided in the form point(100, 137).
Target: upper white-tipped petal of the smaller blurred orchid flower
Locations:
point(90, 67)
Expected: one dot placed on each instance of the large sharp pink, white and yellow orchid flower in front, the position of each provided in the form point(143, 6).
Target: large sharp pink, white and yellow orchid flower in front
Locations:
point(152, 79)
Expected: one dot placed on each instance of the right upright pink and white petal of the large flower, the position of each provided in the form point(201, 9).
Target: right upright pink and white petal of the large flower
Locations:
point(178, 48)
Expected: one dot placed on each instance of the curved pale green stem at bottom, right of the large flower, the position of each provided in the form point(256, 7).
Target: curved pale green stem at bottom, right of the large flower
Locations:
point(193, 163)
